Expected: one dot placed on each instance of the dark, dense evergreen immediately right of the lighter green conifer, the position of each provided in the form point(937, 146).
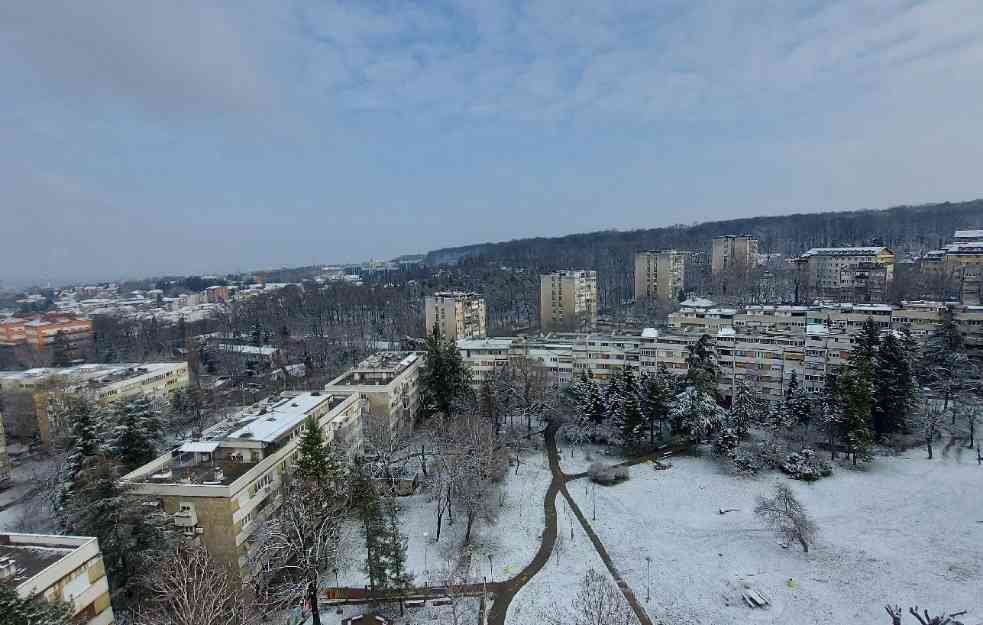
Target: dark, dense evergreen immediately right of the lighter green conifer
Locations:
point(894, 388)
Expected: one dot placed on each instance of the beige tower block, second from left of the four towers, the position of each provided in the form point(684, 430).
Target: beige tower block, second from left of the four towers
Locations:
point(568, 300)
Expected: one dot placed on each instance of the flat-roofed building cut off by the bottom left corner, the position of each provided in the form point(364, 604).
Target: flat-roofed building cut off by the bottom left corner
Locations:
point(67, 569)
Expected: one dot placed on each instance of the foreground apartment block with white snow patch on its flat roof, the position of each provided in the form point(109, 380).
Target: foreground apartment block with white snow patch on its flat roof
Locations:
point(218, 488)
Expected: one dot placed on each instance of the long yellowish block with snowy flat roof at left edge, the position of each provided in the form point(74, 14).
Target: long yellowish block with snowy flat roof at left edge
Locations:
point(29, 395)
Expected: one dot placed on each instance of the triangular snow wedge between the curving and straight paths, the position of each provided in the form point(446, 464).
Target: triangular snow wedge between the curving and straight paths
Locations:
point(559, 580)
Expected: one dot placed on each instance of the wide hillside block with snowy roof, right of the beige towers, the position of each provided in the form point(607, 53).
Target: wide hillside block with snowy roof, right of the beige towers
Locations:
point(822, 269)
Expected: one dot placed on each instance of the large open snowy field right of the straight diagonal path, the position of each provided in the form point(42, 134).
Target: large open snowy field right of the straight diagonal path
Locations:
point(903, 530)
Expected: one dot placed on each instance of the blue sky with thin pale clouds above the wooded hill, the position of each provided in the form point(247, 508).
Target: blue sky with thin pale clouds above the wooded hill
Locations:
point(143, 138)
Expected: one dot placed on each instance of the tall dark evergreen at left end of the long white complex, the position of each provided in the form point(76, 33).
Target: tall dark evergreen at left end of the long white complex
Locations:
point(444, 379)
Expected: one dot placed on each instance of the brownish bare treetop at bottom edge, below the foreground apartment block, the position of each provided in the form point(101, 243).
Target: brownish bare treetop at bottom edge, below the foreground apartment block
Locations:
point(189, 588)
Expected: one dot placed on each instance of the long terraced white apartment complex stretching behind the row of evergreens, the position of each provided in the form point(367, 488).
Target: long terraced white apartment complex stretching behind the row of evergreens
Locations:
point(762, 345)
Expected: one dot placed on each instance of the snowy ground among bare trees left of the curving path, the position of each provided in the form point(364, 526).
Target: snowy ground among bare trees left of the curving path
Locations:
point(511, 542)
